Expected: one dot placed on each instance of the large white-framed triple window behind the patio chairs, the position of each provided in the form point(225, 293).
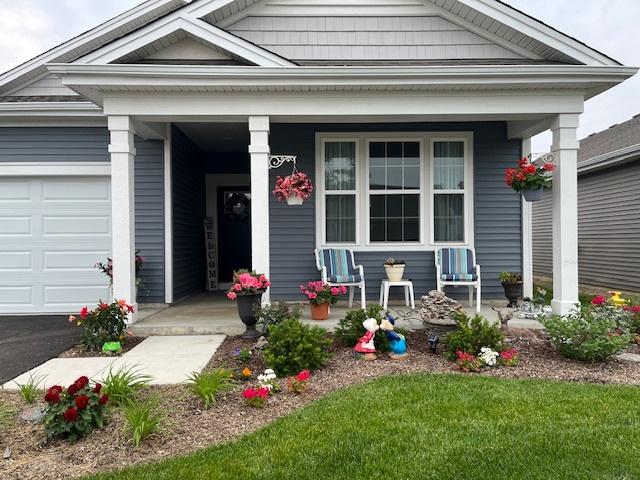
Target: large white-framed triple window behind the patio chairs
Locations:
point(394, 190)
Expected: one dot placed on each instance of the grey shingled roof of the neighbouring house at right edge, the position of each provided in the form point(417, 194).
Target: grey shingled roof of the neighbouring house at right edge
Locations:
point(618, 143)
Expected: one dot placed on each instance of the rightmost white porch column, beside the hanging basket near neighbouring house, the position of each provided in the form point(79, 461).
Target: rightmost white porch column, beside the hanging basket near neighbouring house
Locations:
point(565, 213)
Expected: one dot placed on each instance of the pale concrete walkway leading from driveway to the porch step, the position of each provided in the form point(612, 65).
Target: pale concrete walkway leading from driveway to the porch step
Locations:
point(168, 359)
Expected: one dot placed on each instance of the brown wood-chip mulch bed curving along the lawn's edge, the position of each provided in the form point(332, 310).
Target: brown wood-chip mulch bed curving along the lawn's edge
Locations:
point(189, 427)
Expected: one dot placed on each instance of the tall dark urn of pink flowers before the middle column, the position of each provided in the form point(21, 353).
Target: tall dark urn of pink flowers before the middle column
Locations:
point(247, 289)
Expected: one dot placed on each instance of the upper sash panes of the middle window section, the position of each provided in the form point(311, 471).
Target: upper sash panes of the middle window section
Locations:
point(394, 165)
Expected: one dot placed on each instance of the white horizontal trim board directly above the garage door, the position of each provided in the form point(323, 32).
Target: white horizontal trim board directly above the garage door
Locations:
point(39, 169)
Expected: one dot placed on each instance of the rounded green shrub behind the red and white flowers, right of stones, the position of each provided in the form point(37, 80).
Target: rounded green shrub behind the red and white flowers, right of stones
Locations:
point(471, 335)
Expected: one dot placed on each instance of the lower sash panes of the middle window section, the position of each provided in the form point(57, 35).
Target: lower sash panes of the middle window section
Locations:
point(394, 218)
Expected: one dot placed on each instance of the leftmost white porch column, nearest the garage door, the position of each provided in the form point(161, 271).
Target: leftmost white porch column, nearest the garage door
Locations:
point(123, 153)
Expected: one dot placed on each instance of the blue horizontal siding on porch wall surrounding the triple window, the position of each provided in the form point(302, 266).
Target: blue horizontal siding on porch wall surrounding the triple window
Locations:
point(497, 212)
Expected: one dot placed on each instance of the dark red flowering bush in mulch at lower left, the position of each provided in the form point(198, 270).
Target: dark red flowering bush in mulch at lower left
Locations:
point(74, 412)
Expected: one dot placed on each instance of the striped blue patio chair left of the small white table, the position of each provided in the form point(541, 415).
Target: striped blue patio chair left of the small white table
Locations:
point(338, 268)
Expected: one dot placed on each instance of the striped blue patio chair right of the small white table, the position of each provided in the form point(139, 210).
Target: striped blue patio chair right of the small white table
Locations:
point(456, 267)
